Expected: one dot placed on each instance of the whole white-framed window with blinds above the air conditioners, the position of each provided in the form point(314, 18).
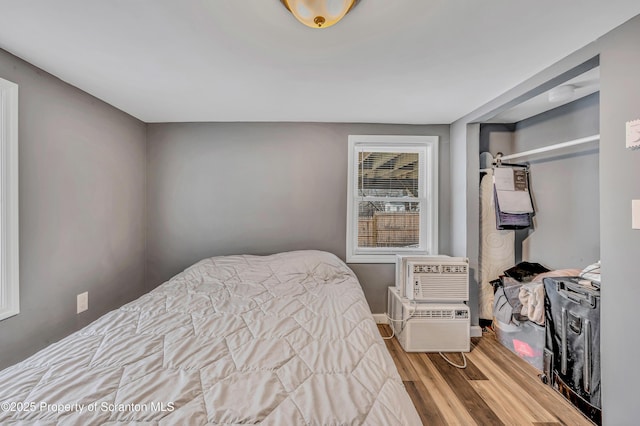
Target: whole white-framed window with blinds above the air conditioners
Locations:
point(392, 197)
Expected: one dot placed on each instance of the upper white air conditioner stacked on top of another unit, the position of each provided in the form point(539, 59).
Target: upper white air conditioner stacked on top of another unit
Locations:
point(433, 278)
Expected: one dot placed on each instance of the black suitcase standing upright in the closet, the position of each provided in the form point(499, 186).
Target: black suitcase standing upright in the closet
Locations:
point(572, 348)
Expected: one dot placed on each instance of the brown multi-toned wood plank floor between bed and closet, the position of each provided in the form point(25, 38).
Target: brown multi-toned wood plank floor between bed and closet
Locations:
point(496, 388)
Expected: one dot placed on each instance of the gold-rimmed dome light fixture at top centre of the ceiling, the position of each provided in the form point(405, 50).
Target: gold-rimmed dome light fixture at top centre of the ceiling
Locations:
point(319, 13)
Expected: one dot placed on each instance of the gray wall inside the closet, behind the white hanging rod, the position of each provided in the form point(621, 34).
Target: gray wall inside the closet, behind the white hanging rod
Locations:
point(566, 231)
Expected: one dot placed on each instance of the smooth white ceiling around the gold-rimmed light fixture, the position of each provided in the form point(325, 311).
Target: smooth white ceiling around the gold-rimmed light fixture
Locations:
point(388, 61)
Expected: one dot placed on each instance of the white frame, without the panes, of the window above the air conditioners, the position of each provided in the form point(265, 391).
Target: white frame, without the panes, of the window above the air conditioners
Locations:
point(427, 147)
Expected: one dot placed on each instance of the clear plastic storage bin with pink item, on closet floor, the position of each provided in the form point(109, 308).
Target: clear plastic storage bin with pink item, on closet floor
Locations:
point(525, 340)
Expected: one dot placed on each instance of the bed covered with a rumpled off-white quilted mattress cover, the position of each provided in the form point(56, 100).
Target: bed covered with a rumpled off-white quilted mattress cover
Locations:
point(286, 339)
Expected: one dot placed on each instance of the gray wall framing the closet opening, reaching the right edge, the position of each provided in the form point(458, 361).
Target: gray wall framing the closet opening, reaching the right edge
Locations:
point(619, 174)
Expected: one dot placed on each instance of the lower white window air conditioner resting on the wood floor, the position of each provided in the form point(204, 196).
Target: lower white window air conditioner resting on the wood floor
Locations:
point(429, 327)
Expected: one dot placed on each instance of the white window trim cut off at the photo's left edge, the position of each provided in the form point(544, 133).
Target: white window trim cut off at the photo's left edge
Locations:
point(9, 230)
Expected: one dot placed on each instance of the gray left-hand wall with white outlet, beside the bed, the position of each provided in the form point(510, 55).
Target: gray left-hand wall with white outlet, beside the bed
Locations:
point(82, 181)
